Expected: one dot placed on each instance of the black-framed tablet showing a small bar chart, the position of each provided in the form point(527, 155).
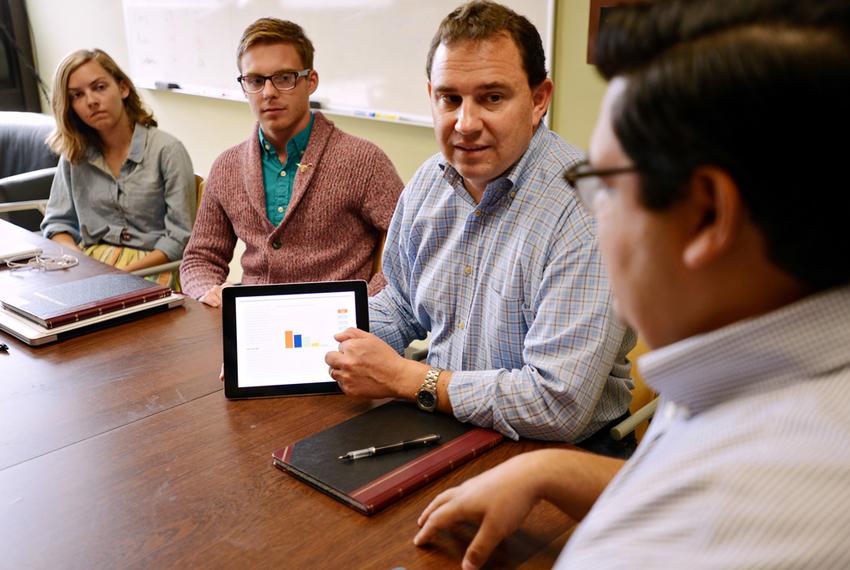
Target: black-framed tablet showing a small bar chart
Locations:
point(276, 336)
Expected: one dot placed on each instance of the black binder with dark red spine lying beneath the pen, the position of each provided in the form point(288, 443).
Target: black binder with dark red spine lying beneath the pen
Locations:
point(371, 483)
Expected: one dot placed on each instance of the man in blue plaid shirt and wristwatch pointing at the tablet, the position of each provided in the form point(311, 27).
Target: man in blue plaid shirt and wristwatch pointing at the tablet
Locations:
point(490, 251)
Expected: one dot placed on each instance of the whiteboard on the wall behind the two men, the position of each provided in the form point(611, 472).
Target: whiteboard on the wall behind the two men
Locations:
point(370, 54)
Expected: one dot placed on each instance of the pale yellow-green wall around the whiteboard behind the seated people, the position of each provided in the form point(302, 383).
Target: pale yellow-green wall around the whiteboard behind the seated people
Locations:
point(208, 126)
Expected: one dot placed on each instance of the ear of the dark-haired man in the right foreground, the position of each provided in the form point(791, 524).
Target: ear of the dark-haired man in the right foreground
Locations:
point(718, 216)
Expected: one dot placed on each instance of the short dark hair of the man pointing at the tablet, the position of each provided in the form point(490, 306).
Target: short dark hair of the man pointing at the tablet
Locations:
point(482, 20)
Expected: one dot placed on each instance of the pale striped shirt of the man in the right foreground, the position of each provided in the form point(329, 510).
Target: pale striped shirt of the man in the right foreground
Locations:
point(747, 462)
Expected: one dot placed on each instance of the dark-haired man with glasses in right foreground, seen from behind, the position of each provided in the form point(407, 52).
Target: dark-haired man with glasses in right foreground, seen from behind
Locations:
point(733, 266)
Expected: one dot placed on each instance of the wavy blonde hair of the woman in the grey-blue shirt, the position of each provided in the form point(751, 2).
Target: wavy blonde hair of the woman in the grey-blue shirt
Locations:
point(72, 136)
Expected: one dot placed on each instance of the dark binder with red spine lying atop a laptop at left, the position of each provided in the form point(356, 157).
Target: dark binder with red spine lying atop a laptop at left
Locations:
point(75, 301)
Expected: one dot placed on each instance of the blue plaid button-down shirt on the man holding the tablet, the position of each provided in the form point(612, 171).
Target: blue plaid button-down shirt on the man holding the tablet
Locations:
point(514, 294)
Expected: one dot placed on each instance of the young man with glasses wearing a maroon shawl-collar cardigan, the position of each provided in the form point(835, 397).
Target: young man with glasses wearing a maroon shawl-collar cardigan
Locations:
point(310, 202)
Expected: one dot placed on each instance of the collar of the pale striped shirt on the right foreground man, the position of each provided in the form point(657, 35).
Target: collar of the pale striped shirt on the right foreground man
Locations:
point(793, 344)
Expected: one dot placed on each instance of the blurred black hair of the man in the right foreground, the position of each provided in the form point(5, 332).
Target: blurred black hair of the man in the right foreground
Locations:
point(754, 88)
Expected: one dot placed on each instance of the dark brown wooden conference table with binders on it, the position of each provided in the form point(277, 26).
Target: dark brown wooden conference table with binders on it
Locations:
point(118, 449)
